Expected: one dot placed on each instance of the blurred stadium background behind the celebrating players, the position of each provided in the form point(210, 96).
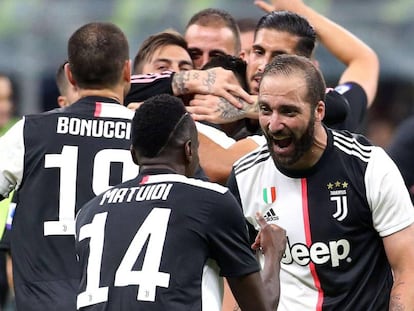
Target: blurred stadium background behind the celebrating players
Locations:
point(33, 36)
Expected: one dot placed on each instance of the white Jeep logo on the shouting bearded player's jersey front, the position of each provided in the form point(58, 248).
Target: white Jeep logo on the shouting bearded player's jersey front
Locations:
point(319, 253)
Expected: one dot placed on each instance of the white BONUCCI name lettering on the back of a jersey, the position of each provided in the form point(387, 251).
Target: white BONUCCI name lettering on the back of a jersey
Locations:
point(94, 128)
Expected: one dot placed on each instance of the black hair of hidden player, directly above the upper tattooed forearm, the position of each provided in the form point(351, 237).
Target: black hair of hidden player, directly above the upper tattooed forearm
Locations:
point(229, 62)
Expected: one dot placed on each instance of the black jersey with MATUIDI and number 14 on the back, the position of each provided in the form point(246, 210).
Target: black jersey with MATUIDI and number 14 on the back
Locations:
point(143, 245)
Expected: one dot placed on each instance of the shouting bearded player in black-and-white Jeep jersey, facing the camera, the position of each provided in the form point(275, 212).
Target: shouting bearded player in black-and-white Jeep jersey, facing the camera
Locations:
point(342, 201)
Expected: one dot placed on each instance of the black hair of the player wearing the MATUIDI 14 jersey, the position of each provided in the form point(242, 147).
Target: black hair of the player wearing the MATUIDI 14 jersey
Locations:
point(157, 123)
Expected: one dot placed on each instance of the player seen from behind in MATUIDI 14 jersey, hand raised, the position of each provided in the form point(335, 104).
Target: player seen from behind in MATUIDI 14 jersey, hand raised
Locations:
point(143, 244)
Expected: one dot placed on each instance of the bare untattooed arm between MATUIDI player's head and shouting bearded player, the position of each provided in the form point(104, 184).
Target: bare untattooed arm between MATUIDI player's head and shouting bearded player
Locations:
point(217, 161)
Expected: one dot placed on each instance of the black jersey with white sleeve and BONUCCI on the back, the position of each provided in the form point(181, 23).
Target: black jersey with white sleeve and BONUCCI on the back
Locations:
point(58, 161)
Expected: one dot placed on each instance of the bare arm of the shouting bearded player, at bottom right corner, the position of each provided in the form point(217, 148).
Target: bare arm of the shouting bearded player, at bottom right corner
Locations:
point(399, 248)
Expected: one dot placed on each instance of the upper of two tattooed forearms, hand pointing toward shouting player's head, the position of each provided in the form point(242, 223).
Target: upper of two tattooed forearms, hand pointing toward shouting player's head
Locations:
point(214, 81)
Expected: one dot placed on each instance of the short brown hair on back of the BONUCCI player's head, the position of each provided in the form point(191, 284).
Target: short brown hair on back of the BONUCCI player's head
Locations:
point(97, 53)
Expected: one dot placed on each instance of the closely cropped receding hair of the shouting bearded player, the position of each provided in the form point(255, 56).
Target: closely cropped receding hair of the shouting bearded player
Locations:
point(288, 65)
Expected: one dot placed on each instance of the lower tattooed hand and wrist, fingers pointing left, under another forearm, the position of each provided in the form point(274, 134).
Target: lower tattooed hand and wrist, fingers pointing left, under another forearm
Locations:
point(218, 110)
